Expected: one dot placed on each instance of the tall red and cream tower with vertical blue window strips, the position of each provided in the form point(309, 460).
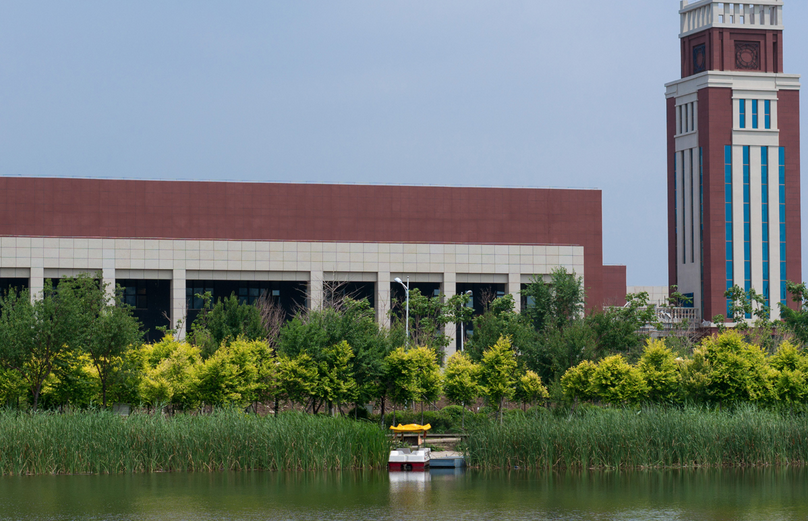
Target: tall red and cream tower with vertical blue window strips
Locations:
point(733, 157)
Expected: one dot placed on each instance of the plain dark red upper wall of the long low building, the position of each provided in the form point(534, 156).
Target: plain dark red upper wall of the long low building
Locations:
point(295, 212)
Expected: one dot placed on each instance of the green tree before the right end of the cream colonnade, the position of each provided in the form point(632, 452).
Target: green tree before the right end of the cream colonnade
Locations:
point(556, 304)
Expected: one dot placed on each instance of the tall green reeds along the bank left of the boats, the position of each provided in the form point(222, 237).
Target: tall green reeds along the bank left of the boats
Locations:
point(103, 442)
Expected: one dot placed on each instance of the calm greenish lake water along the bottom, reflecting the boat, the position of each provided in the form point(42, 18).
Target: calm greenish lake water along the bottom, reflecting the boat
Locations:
point(771, 494)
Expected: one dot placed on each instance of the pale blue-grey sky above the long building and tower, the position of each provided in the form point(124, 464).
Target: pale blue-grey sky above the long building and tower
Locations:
point(509, 93)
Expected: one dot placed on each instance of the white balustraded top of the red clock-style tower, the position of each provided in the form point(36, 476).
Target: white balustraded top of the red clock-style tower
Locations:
point(704, 14)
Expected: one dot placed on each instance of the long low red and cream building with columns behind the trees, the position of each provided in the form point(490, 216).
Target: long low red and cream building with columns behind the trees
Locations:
point(165, 242)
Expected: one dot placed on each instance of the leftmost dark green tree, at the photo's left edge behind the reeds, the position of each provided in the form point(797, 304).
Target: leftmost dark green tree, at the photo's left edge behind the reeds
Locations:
point(35, 334)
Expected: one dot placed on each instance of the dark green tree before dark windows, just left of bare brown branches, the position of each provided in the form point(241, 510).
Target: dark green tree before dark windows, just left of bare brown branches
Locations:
point(223, 323)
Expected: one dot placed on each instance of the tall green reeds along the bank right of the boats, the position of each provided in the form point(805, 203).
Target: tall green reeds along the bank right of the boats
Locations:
point(651, 438)
